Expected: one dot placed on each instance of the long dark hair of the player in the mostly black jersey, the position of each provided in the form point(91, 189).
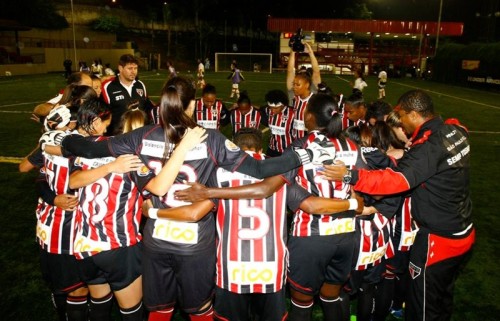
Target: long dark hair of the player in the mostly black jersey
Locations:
point(176, 95)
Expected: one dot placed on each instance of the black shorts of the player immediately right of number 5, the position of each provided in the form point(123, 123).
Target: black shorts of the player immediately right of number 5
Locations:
point(315, 260)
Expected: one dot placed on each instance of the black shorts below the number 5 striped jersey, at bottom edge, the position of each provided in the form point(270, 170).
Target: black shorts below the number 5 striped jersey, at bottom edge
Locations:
point(252, 306)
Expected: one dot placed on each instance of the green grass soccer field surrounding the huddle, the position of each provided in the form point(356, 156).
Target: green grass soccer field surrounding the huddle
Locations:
point(25, 297)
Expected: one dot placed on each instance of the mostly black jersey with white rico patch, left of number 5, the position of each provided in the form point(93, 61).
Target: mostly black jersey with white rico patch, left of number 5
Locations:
point(200, 165)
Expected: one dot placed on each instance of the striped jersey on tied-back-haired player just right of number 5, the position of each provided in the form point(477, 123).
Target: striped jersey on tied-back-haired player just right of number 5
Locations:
point(310, 224)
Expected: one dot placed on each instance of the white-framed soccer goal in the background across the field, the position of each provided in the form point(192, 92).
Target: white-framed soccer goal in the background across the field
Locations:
point(249, 62)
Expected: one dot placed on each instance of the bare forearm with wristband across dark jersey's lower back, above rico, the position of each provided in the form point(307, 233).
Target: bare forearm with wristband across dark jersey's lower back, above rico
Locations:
point(186, 213)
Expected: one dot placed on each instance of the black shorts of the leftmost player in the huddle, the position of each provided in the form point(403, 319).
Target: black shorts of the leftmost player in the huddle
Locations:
point(60, 272)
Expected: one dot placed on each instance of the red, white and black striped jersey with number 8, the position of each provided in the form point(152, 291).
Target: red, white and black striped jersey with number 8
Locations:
point(109, 210)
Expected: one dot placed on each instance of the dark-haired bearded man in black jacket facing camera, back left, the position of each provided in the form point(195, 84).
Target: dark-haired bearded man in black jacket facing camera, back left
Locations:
point(124, 89)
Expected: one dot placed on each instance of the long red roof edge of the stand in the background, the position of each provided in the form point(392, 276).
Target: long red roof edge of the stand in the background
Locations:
point(364, 26)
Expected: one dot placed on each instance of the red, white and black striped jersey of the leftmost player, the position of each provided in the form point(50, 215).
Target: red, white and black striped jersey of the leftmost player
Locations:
point(55, 230)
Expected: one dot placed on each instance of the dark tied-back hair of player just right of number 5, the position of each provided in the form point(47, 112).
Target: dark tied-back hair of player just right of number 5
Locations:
point(325, 110)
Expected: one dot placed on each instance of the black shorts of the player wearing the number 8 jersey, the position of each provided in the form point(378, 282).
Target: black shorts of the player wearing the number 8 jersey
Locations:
point(119, 267)
